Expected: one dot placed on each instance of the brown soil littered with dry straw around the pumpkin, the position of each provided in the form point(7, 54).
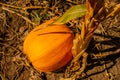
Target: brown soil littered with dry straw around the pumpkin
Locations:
point(103, 61)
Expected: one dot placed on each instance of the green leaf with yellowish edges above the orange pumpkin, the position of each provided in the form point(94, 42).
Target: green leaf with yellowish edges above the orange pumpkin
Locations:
point(72, 13)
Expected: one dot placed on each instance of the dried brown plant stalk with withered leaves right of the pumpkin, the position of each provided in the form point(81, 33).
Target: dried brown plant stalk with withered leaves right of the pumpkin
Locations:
point(96, 12)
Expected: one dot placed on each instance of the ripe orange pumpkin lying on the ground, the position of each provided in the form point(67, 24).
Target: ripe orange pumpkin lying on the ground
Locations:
point(49, 48)
